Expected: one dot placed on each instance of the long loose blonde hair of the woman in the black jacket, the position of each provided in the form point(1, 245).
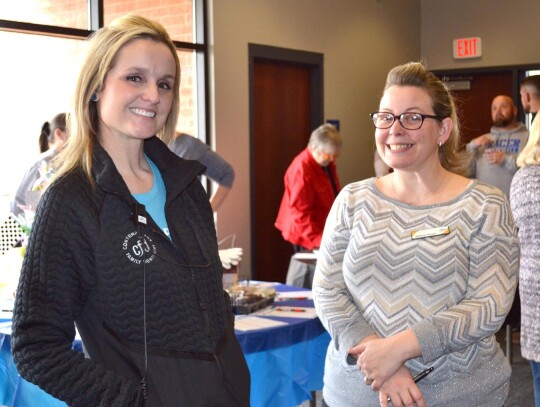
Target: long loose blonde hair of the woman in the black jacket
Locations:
point(101, 55)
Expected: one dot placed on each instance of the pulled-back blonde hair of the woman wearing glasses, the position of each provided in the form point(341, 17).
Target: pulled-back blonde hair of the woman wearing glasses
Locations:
point(451, 156)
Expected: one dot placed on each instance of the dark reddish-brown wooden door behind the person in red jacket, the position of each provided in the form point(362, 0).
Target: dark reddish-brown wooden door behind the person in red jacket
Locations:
point(286, 102)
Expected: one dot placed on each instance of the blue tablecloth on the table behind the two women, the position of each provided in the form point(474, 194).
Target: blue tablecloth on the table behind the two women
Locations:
point(286, 364)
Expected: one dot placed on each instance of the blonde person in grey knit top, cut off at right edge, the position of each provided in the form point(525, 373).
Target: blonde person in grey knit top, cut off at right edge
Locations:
point(525, 202)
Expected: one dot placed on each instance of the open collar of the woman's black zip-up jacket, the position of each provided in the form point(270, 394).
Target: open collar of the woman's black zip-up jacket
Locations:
point(176, 172)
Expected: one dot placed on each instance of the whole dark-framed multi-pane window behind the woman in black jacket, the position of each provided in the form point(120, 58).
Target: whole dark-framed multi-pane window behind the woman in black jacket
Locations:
point(43, 42)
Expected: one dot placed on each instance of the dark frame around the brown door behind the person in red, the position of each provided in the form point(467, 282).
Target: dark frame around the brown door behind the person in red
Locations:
point(311, 60)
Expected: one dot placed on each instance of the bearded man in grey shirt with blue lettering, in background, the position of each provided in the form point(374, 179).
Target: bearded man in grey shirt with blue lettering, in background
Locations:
point(495, 153)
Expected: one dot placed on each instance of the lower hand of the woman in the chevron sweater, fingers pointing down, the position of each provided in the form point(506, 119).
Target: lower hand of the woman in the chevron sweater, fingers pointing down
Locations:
point(402, 390)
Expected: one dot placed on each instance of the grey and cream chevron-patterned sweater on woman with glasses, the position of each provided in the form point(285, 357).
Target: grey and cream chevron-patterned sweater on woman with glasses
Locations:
point(452, 290)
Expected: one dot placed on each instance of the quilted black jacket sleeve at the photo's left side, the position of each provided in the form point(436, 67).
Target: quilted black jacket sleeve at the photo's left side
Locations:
point(54, 283)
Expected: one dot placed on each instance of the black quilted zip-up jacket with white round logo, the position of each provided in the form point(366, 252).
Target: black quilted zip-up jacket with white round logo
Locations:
point(131, 291)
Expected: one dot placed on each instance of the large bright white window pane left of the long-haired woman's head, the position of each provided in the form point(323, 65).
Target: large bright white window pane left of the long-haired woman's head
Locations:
point(35, 87)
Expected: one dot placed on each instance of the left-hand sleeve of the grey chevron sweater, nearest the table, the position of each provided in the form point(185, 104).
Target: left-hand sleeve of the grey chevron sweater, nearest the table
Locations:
point(335, 307)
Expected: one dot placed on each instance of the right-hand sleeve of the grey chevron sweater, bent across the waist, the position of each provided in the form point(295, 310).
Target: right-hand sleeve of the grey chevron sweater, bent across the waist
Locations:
point(493, 266)
